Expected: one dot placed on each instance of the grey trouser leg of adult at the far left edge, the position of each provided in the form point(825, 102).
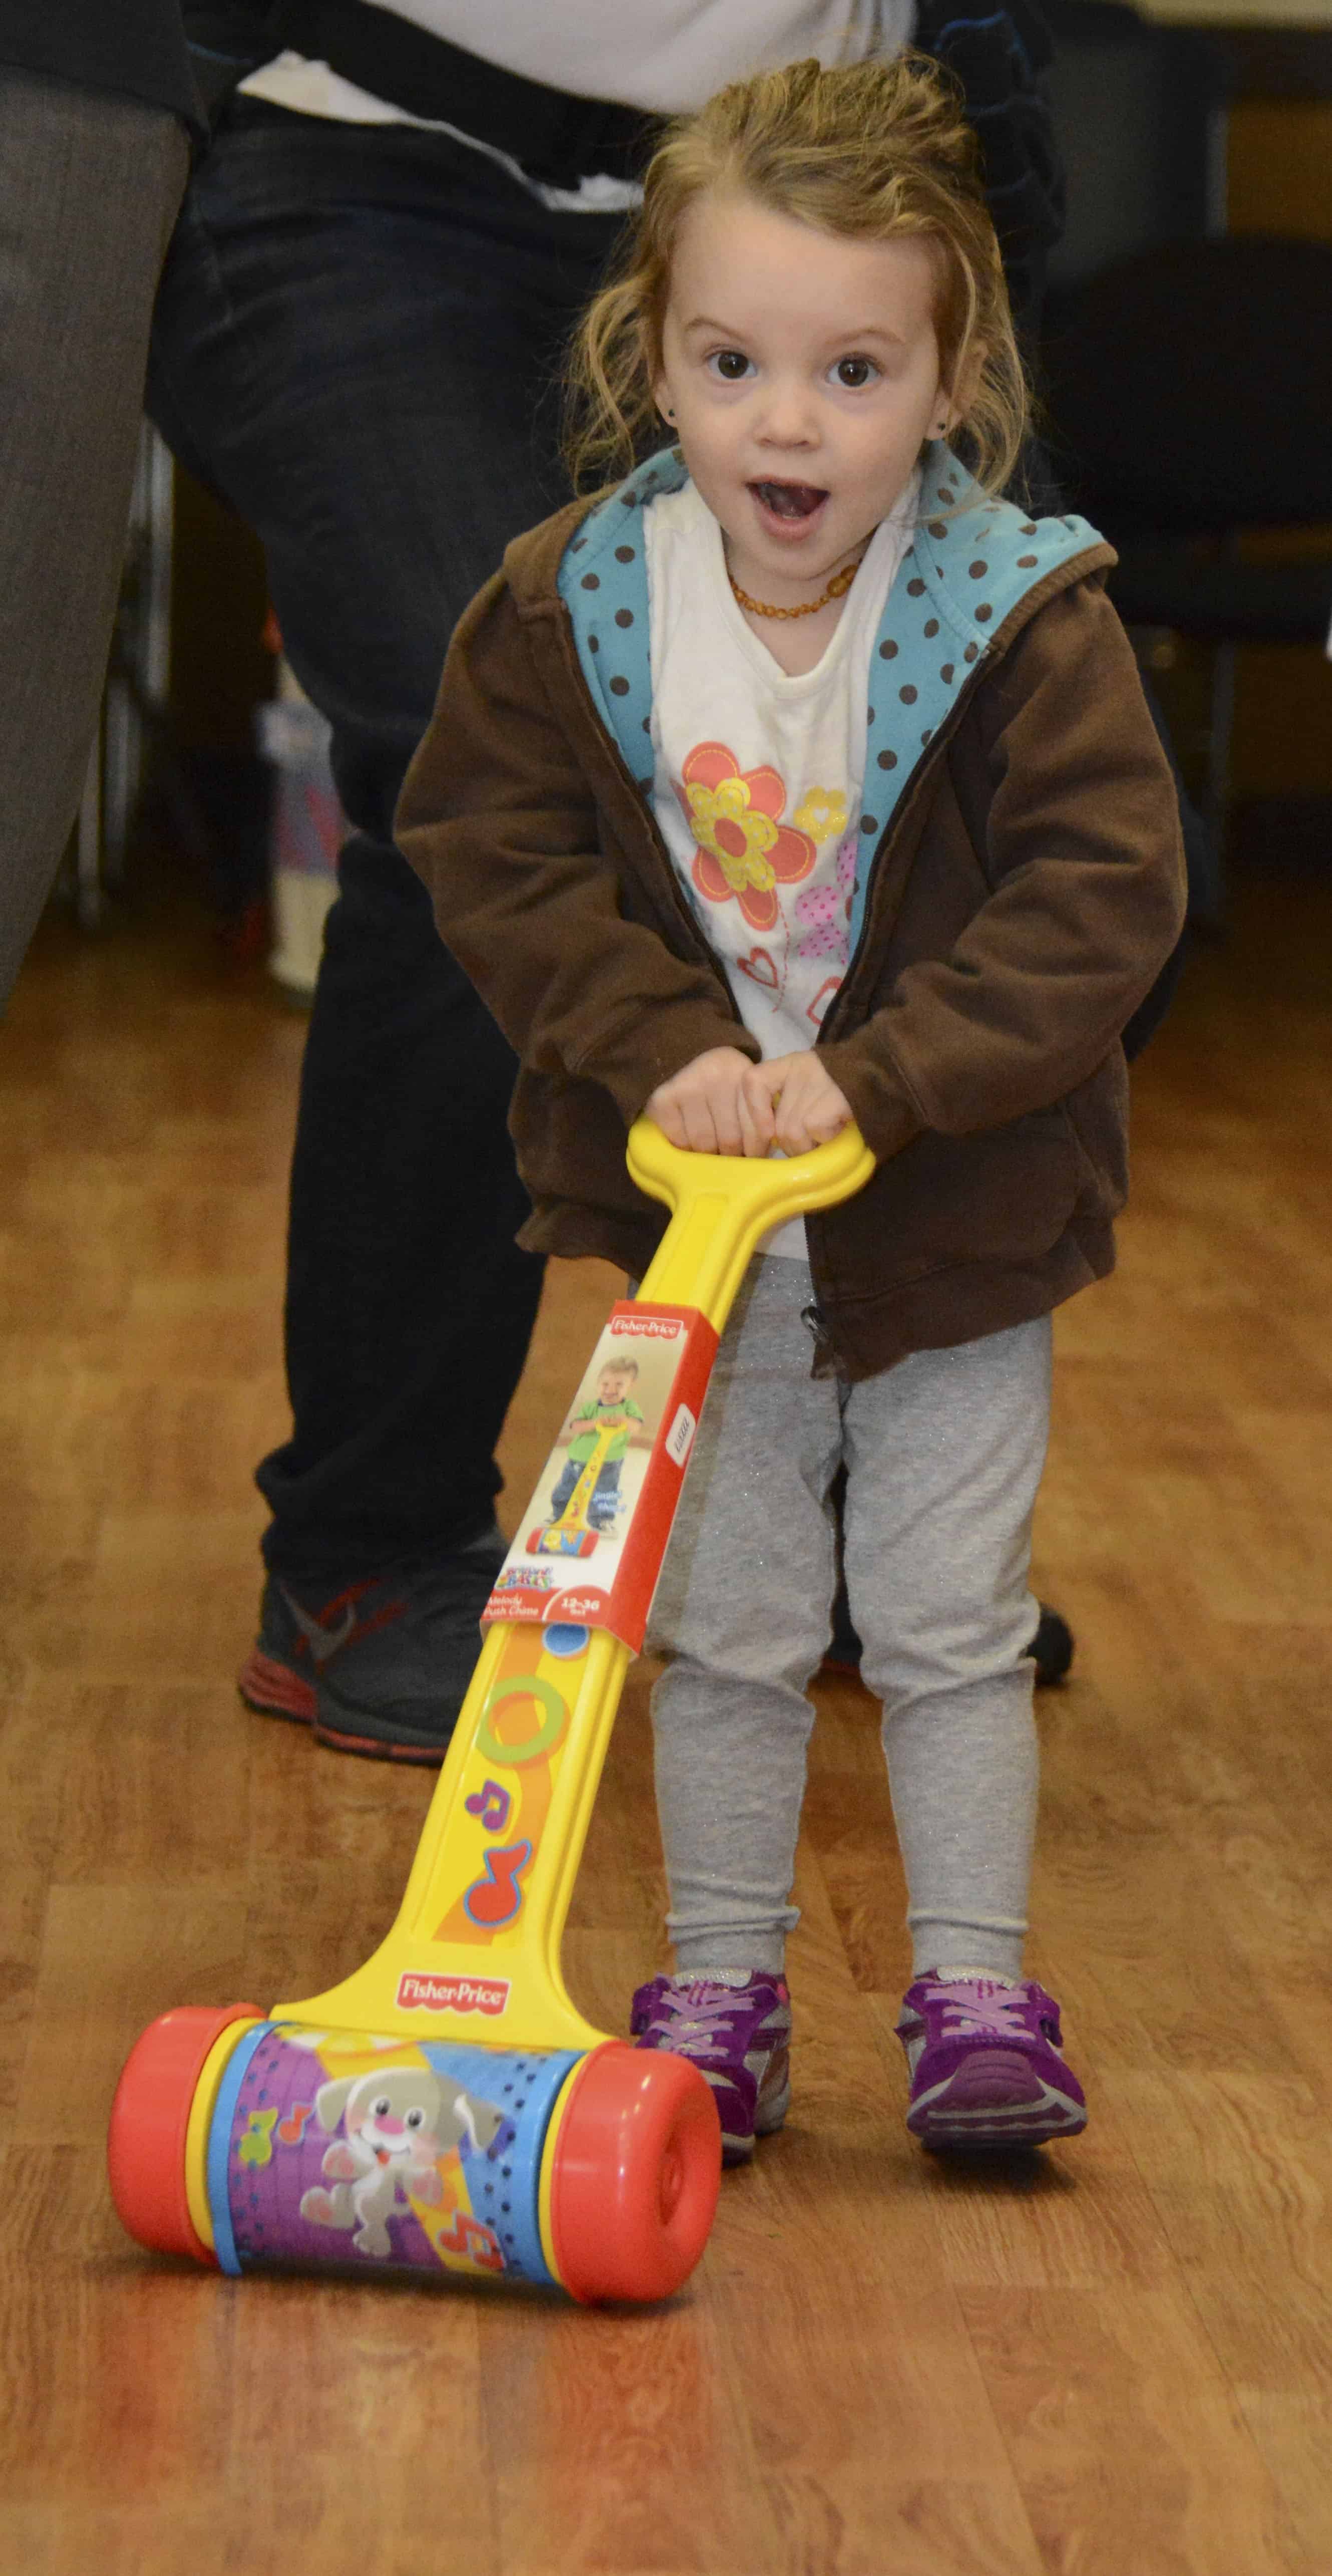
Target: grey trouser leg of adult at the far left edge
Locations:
point(89, 192)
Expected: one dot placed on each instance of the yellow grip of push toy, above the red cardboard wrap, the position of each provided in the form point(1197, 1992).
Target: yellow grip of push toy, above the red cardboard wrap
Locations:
point(725, 1204)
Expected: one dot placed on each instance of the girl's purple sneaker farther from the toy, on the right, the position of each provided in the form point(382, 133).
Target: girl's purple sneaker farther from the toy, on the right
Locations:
point(985, 2065)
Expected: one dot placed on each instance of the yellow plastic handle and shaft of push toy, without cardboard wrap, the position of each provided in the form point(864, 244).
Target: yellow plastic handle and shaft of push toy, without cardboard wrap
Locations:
point(475, 1949)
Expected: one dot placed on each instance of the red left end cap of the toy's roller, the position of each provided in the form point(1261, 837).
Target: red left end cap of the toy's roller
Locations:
point(146, 2147)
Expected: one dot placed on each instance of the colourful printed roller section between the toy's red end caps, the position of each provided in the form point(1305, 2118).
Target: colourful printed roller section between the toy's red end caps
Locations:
point(383, 2157)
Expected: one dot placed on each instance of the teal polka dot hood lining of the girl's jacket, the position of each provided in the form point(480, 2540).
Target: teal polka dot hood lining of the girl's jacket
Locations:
point(960, 581)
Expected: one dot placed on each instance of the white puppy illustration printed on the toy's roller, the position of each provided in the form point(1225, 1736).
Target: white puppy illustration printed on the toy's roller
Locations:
point(395, 2129)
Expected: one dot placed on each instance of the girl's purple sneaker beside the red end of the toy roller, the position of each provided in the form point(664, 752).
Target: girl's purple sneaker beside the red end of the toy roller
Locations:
point(741, 2041)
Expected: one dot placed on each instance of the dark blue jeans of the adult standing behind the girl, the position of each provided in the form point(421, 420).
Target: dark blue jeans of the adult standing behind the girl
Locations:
point(357, 346)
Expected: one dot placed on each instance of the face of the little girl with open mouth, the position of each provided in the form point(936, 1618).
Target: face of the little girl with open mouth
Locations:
point(805, 375)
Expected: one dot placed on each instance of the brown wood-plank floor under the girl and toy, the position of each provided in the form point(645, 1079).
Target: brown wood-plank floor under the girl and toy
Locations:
point(1114, 2366)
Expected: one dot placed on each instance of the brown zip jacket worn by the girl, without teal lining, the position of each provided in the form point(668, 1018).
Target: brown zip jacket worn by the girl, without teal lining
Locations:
point(1024, 898)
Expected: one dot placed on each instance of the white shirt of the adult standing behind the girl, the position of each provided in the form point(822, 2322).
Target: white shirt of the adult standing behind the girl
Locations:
point(656, 55)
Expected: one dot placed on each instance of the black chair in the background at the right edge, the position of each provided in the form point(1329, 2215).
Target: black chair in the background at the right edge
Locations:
point(1192, 406)
